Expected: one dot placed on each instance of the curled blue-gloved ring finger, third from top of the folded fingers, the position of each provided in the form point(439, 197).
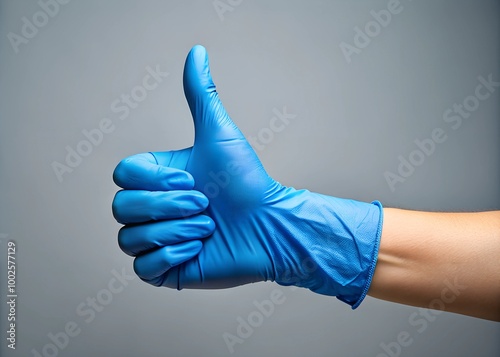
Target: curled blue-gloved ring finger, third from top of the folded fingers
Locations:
point(134, 240)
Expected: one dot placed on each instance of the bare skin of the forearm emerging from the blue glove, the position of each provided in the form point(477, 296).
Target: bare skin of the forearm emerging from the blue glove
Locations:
point(447, 261)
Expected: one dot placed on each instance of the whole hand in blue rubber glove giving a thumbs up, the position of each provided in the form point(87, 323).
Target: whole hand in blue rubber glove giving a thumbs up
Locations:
point(209, 216)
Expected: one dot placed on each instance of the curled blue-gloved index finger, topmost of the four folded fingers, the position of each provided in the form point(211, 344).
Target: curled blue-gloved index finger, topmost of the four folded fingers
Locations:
point(142, 172)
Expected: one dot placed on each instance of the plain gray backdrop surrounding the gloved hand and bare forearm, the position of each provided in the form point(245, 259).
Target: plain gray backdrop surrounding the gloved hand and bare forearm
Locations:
point(353, 120)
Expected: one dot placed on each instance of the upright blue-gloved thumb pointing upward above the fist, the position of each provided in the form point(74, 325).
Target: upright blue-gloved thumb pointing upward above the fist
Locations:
point(211, 121)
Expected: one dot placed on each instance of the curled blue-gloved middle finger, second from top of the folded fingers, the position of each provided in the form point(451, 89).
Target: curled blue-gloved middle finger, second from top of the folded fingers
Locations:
point(130, 206)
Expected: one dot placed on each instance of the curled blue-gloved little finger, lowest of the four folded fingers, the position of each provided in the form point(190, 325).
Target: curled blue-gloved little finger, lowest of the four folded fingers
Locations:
point(152, 266)
